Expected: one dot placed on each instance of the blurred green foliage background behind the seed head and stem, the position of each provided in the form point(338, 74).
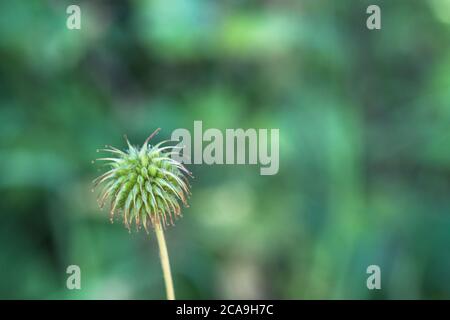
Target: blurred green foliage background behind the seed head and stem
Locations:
point(364, 119)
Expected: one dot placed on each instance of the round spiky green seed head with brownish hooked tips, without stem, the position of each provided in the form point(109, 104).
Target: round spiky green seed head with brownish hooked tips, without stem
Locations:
point(144, 184)
